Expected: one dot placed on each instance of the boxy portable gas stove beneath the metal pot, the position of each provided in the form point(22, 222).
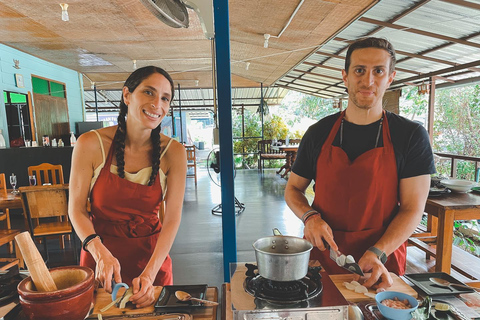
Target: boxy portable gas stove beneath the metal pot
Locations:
point(313, 297)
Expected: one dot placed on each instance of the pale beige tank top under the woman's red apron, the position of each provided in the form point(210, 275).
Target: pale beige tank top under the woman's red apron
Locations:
point(140, 177)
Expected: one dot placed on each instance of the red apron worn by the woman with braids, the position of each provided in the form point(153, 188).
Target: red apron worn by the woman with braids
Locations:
point(125, 215)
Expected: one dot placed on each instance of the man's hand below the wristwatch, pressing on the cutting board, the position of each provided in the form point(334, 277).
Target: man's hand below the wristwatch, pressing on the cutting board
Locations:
point(379, 277)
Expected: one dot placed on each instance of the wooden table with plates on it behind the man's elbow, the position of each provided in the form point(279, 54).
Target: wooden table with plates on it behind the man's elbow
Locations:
point(442, 212)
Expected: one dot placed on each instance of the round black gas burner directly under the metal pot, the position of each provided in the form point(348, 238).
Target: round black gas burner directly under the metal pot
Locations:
point(282, 292)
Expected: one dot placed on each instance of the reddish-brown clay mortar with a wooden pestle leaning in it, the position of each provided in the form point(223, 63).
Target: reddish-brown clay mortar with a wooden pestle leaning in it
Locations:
point(72, 300)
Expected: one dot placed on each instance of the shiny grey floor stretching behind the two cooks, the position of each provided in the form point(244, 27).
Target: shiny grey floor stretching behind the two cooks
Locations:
point(197, 251)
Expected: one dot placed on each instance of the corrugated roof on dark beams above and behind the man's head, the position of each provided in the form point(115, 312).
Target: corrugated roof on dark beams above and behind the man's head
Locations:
point(432, 38)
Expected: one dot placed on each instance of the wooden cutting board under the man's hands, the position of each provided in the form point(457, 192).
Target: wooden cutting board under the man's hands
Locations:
point(398, 285)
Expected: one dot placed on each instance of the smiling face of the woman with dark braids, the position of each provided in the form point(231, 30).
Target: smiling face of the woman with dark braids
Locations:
point(149, 102)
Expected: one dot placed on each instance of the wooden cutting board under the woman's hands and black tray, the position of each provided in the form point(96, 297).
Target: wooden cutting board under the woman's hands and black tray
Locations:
point(103, 298)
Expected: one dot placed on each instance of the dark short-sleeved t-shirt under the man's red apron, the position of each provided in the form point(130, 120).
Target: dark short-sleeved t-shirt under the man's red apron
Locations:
point(410, 140)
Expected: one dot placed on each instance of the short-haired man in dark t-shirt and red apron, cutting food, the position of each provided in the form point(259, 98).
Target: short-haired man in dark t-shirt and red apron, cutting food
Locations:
point(371, 170)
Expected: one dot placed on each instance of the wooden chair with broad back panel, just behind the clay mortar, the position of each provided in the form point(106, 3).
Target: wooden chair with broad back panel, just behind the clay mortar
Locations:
point(45, 203)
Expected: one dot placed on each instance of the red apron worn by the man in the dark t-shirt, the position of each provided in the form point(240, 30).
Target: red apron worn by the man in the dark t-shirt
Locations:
point(358, 199)
